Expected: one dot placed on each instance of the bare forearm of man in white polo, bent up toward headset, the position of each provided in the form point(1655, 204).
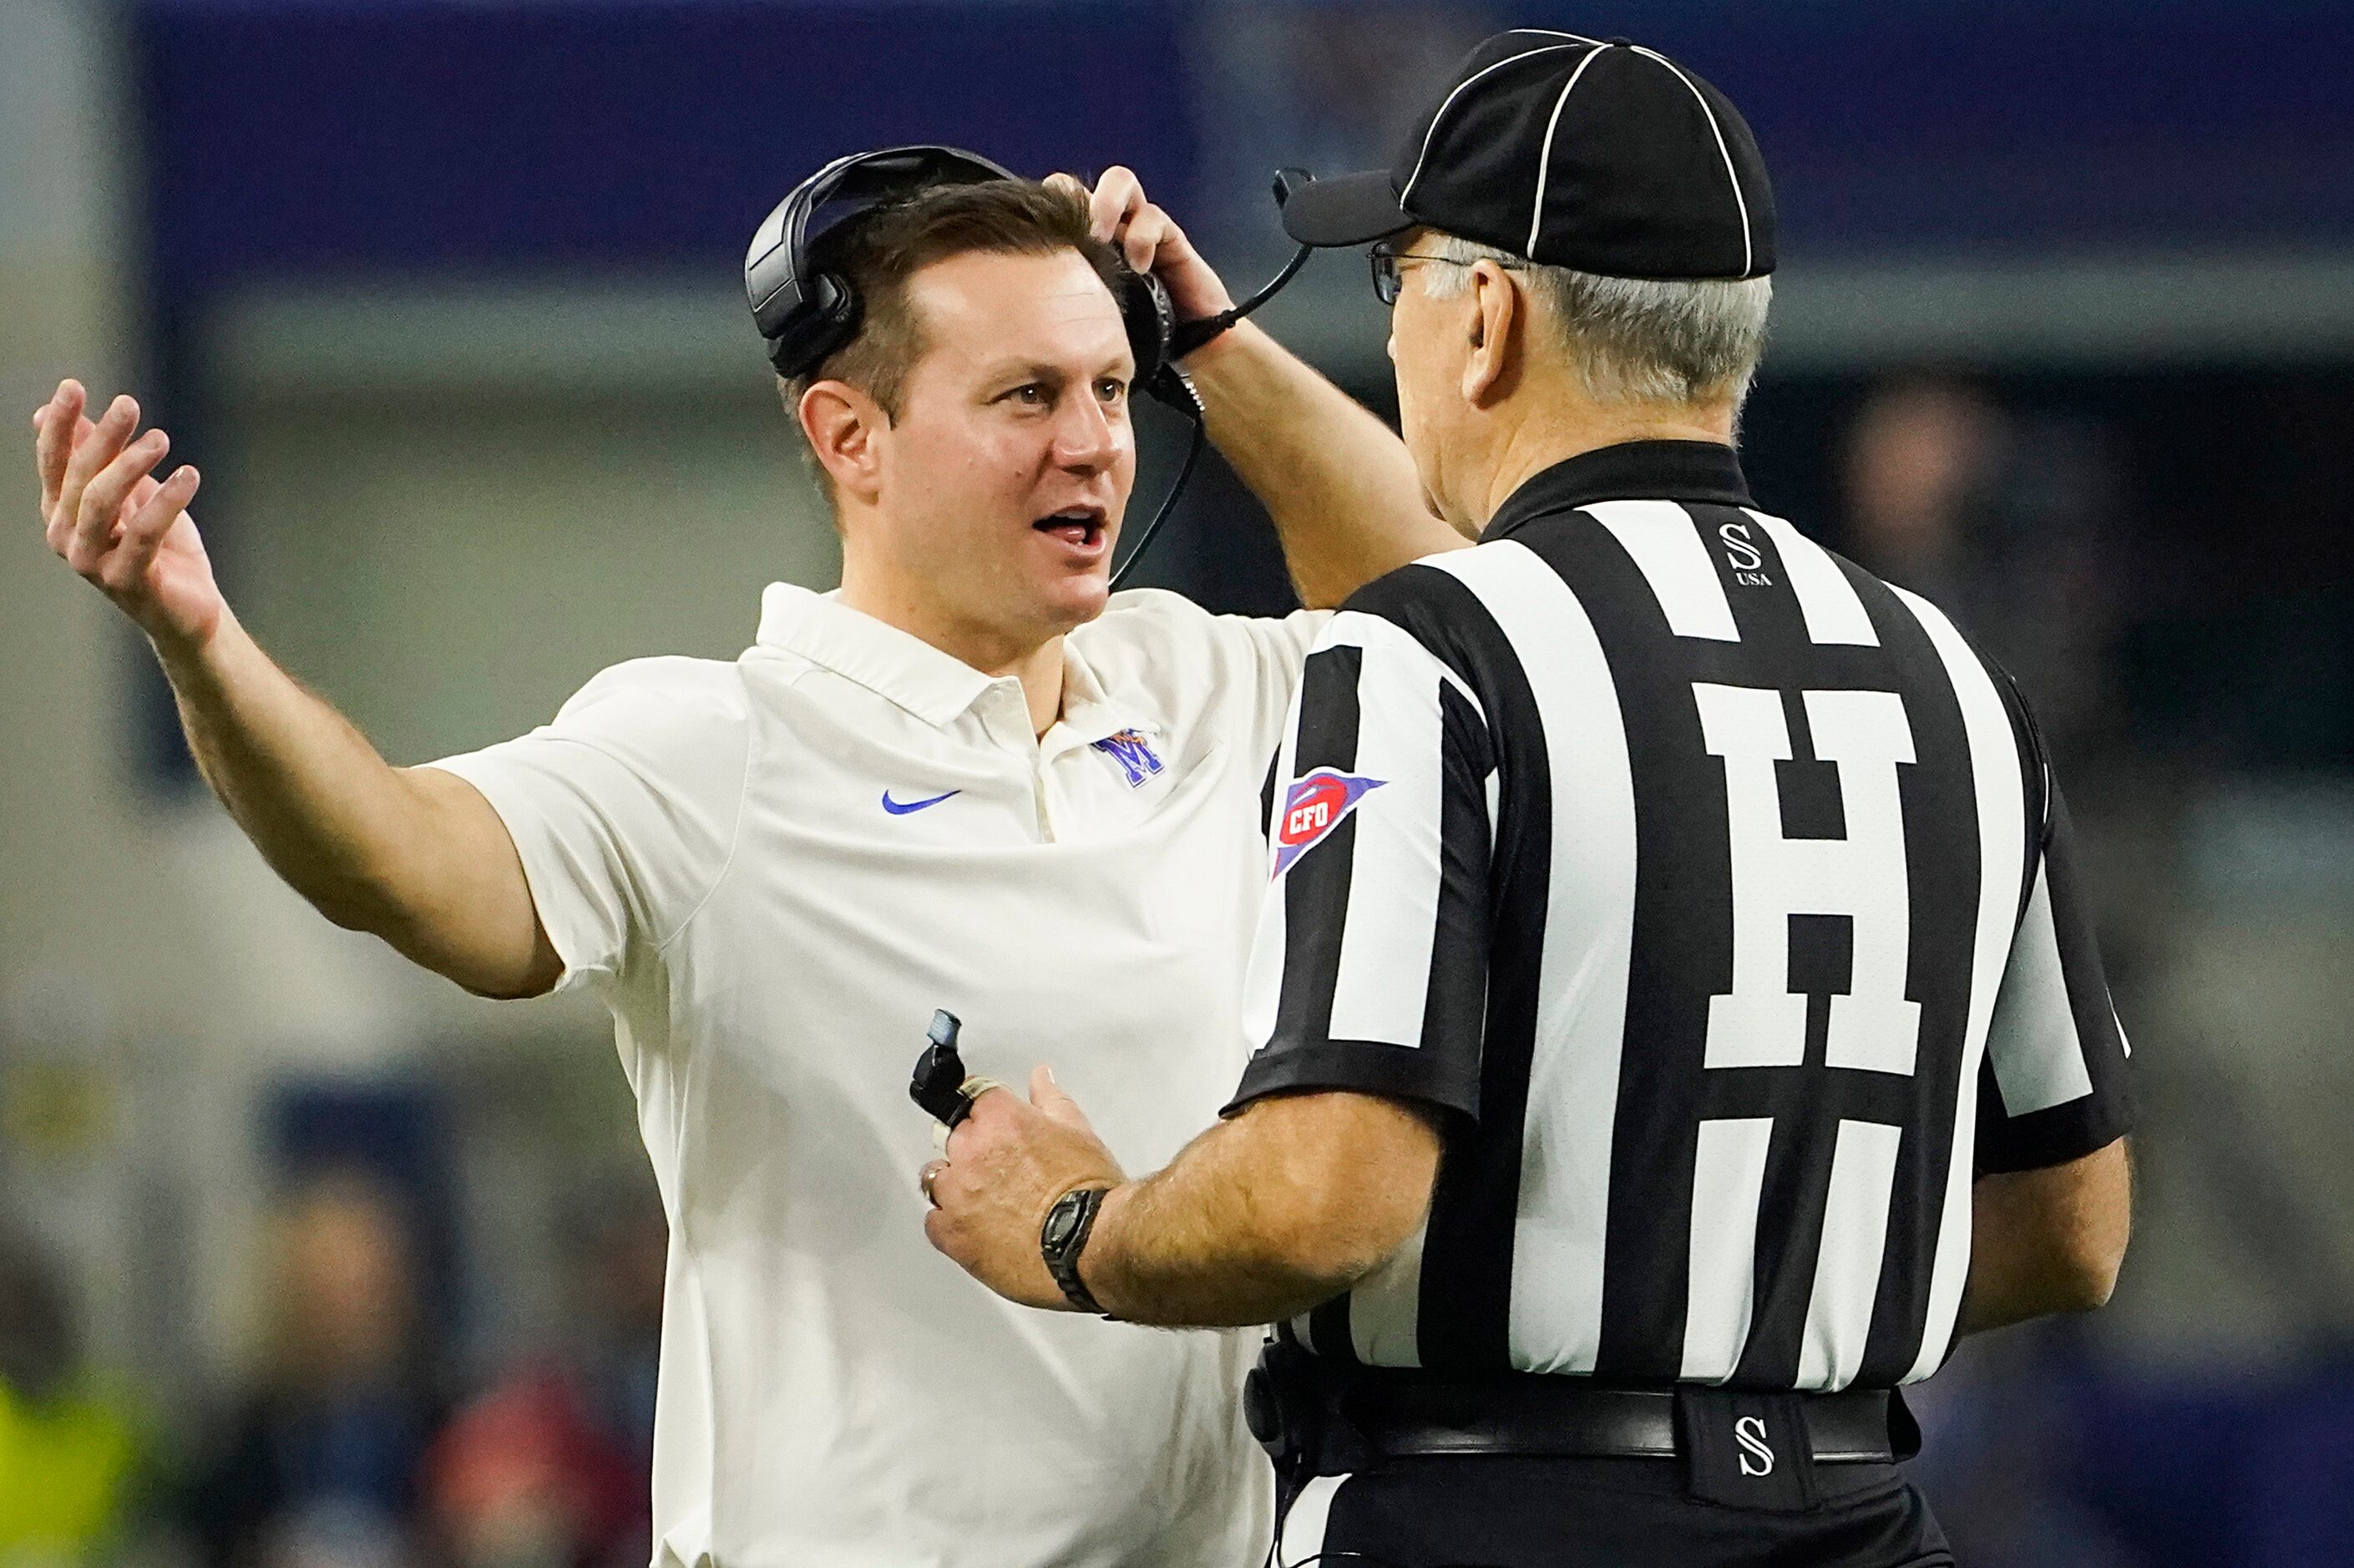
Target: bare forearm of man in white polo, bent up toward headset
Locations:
point(1338, 481)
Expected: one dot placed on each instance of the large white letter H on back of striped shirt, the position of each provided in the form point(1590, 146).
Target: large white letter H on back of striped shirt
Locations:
point(1762, 1023)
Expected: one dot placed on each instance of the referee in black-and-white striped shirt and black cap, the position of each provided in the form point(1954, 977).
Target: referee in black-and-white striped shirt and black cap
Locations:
point(1675, 1006)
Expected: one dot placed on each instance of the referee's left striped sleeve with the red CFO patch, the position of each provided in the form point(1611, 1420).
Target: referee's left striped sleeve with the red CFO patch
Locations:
point(1369, 969)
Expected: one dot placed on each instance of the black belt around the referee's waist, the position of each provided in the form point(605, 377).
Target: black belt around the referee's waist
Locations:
point(1341, 1418)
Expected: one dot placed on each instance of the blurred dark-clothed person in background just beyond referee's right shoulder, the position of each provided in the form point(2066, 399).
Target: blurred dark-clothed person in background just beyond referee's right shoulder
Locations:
point(2002, 521)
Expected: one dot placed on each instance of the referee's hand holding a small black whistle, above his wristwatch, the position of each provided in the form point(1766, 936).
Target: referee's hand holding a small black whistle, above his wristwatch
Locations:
point(1009, 1162)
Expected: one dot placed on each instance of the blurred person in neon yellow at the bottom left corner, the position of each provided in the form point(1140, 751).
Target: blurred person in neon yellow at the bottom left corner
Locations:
point(72, 1454)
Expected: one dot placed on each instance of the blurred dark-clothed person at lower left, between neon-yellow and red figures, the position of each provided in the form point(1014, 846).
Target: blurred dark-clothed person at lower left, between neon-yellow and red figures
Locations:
point(319, 1466)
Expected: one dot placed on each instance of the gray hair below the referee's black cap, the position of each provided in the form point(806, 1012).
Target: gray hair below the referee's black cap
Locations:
point(1635, 340)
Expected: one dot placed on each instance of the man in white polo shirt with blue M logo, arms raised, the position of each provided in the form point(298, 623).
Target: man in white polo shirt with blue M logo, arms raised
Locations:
point(966, 778)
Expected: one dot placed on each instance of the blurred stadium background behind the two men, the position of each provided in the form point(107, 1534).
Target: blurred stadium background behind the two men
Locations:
point(314, 1263)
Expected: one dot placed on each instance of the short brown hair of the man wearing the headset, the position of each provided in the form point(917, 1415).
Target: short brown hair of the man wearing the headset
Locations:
point(884, 246)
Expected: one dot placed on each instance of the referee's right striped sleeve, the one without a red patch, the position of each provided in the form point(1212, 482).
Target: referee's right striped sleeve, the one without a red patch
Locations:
point(2054, 1087)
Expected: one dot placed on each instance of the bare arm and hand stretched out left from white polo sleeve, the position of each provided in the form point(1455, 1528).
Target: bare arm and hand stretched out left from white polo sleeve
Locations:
point(408, 853)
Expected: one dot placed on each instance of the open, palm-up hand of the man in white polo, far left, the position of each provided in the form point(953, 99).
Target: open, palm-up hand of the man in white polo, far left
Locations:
point(117, 524)
